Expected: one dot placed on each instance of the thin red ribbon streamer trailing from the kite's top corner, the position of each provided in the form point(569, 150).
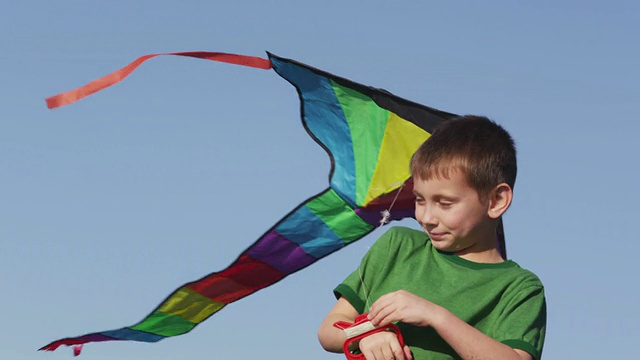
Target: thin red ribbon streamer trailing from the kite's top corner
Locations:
point(115, 77)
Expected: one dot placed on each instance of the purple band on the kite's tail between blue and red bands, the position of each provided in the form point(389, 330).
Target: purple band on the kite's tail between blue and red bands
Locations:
point(280, 253)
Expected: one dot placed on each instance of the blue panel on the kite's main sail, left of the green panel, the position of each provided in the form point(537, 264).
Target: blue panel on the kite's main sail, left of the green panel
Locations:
point(325, 120)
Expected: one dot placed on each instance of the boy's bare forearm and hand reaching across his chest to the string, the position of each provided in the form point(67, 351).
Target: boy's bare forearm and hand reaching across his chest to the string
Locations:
point(467, 341)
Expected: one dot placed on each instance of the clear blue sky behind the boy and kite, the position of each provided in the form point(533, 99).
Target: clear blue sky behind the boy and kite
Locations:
point(108, 205)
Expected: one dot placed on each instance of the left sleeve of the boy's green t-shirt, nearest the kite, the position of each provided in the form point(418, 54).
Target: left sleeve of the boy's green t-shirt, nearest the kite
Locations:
point(355, 288)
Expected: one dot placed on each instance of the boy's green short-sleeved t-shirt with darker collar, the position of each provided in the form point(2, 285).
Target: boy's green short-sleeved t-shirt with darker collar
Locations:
point(501, 300)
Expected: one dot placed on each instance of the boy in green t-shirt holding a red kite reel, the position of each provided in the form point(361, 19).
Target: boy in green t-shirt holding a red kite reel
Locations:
point(448, 288)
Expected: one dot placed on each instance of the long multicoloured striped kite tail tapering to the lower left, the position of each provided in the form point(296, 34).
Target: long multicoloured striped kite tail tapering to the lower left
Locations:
point(323, 224)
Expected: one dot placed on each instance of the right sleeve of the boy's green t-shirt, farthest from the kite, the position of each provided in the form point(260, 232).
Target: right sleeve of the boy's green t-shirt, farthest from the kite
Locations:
point(523, 323)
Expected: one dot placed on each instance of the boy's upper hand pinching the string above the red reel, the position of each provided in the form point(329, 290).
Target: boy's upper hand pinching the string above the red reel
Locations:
point(404, 306)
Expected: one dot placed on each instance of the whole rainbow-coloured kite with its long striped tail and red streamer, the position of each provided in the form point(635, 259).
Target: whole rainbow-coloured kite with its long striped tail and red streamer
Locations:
point(370, 136)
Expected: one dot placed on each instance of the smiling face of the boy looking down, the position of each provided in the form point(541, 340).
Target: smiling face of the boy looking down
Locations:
point(451, 212)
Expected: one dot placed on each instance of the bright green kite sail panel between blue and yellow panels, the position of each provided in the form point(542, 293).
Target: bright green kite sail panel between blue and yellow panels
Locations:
point(367, 123)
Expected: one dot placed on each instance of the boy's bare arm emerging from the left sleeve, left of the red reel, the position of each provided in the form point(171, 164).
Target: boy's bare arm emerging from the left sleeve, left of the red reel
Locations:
point(332, 338)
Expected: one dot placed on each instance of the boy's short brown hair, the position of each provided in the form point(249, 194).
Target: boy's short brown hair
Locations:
point(483, 150)
